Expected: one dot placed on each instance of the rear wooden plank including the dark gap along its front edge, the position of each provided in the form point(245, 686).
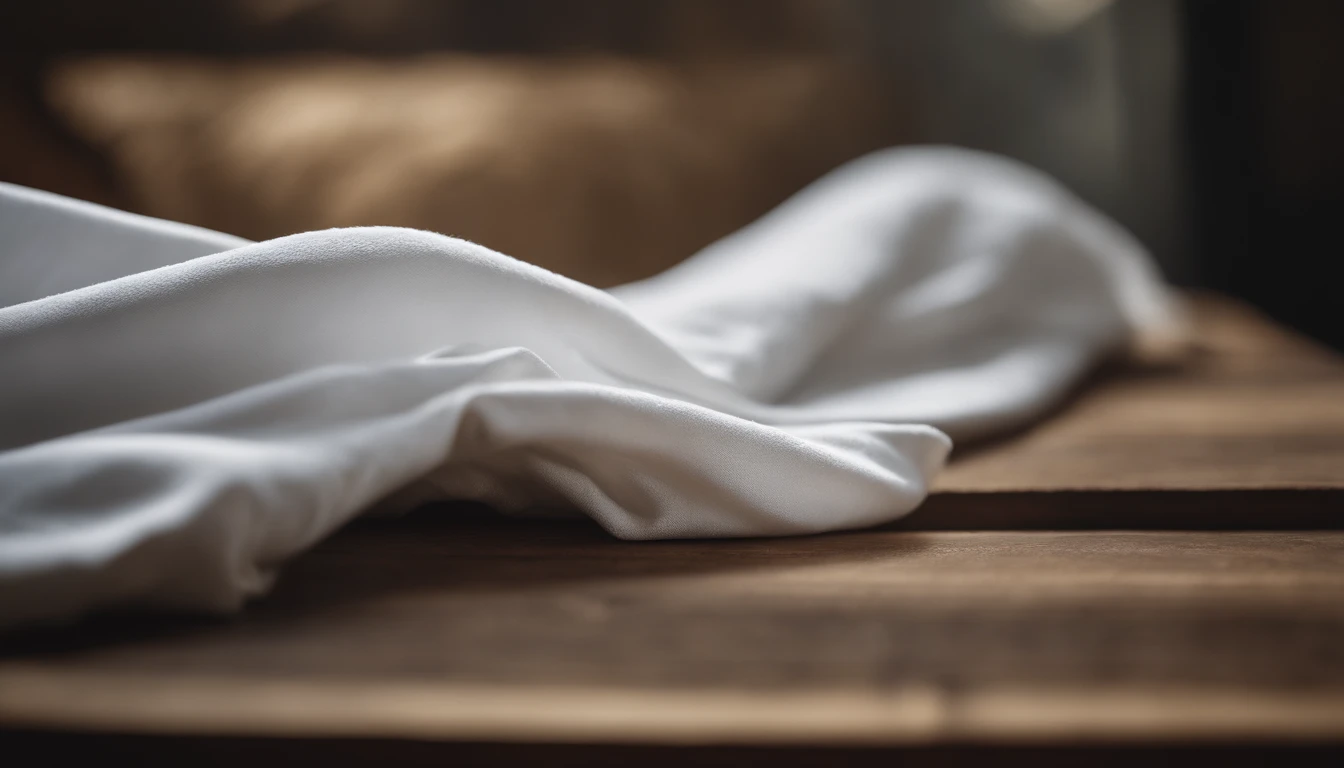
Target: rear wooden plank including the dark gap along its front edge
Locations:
point(1248, 431)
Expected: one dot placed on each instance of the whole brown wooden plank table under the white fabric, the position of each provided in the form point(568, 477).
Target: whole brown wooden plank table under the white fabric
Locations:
point(1157, 570)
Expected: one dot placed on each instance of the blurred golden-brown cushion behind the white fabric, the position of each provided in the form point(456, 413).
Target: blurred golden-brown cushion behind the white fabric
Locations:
point(603, 170)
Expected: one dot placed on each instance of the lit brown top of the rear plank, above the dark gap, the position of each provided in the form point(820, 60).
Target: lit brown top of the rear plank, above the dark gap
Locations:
point(1252, 408)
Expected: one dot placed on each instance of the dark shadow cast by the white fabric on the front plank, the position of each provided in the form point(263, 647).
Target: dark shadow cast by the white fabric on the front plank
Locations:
point(452, 549)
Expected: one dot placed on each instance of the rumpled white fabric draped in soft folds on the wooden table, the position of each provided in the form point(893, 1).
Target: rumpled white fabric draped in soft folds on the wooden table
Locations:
point(182, 411)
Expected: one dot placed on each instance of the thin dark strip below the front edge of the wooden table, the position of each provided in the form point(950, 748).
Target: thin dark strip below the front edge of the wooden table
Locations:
point(131, 750)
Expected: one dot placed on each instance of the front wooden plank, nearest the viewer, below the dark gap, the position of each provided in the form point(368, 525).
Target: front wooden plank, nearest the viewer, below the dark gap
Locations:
point(458, 627)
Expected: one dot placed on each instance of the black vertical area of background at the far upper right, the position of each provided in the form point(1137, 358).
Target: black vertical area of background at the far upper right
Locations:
point(1265, 139)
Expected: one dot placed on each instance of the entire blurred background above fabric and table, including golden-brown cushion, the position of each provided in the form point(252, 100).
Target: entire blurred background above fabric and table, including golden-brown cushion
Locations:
point(610, 139)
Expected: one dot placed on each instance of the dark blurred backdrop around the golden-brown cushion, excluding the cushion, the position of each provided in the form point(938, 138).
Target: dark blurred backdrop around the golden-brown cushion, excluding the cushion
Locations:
point(1214, 130)
